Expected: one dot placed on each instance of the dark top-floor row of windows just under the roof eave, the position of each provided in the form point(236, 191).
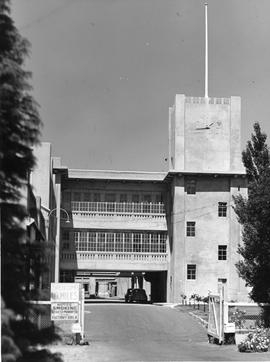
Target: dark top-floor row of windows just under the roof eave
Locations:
point(111, 197)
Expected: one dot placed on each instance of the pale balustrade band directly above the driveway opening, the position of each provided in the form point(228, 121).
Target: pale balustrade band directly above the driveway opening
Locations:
point(84, 255)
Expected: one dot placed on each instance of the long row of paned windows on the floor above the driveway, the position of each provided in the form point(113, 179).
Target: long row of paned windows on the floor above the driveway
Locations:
point(115, 241)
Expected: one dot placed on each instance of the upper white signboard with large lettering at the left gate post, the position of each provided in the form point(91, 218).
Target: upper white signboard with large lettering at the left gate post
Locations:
point(65, 292)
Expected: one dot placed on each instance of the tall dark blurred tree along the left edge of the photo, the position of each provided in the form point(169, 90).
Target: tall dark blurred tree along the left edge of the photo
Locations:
point(19, 132)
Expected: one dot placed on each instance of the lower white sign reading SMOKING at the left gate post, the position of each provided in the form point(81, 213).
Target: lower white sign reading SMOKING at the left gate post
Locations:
point(64, 311)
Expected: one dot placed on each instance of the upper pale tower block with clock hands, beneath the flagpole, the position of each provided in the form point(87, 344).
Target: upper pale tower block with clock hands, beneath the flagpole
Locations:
point(205, 135)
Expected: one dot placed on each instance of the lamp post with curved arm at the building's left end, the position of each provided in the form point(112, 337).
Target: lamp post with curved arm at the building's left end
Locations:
point(58, 211)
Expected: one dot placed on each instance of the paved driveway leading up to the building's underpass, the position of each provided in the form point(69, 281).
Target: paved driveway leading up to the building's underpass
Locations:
point(125, 332)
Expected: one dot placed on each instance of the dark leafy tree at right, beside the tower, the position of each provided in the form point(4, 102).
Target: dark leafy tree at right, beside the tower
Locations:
point(254, 215)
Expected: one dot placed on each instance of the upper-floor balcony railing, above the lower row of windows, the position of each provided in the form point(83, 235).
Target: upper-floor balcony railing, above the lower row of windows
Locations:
point(118, 208)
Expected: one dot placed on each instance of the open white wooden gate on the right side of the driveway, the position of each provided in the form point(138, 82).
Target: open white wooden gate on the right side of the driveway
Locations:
point(216, 317)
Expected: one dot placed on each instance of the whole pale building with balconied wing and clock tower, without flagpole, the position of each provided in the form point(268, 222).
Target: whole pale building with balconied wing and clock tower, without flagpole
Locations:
point(172, 233)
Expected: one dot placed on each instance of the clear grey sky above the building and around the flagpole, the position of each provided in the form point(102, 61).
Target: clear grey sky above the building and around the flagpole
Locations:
point(105, 72)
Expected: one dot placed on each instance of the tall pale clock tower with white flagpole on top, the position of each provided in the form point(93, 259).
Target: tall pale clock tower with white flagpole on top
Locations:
point(205, 172)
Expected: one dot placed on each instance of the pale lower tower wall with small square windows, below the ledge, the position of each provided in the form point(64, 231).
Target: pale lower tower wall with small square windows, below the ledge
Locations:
point(210, 231)
